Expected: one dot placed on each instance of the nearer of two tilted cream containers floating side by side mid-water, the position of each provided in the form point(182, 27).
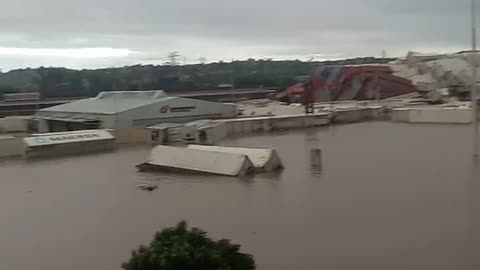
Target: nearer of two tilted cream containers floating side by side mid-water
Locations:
point(176, 159)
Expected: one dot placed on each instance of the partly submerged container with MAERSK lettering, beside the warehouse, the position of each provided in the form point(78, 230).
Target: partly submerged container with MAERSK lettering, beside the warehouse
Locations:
point(68, 143)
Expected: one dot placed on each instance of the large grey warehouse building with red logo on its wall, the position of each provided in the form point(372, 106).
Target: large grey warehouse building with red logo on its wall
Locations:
point(128, 109)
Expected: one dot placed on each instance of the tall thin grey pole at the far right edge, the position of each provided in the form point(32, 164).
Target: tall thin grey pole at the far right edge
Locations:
point(474, 79)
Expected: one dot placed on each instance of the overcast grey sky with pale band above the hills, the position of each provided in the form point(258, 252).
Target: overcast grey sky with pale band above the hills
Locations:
point(103, 33)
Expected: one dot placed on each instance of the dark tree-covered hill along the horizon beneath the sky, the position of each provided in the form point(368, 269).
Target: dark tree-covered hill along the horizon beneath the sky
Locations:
point(61, 82)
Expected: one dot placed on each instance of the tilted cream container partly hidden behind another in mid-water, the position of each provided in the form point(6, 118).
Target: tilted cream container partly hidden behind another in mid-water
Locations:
point(264, 160)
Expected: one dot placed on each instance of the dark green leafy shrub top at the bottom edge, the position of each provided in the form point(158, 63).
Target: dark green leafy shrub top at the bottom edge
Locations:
point(180, 248)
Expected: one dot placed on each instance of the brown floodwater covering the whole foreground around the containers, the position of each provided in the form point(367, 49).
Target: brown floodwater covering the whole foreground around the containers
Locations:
point(390, 196)
